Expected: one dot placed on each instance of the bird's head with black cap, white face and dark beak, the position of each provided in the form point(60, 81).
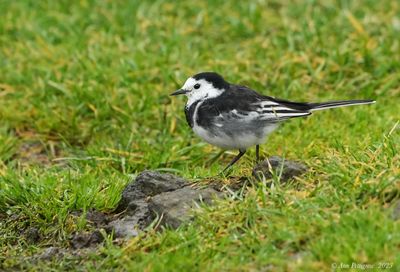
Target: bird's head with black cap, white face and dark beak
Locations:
point(202, 86)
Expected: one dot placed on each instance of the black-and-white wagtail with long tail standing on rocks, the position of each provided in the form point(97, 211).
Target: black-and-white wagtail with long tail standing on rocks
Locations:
point(232, 116)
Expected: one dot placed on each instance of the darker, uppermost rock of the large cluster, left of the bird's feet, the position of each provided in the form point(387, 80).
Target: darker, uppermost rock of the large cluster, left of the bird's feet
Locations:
point(149, 183)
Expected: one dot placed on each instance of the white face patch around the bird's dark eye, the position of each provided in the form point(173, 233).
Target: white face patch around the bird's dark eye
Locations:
point(206, 90)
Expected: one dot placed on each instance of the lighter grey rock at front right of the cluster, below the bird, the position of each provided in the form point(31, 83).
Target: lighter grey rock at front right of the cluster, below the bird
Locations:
point(175, 206)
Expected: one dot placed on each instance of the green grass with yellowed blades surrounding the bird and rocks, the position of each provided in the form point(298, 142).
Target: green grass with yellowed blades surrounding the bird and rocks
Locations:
point(84, 105)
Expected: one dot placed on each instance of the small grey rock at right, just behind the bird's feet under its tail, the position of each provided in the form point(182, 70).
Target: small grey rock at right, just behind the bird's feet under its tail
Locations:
point(290, 169)
